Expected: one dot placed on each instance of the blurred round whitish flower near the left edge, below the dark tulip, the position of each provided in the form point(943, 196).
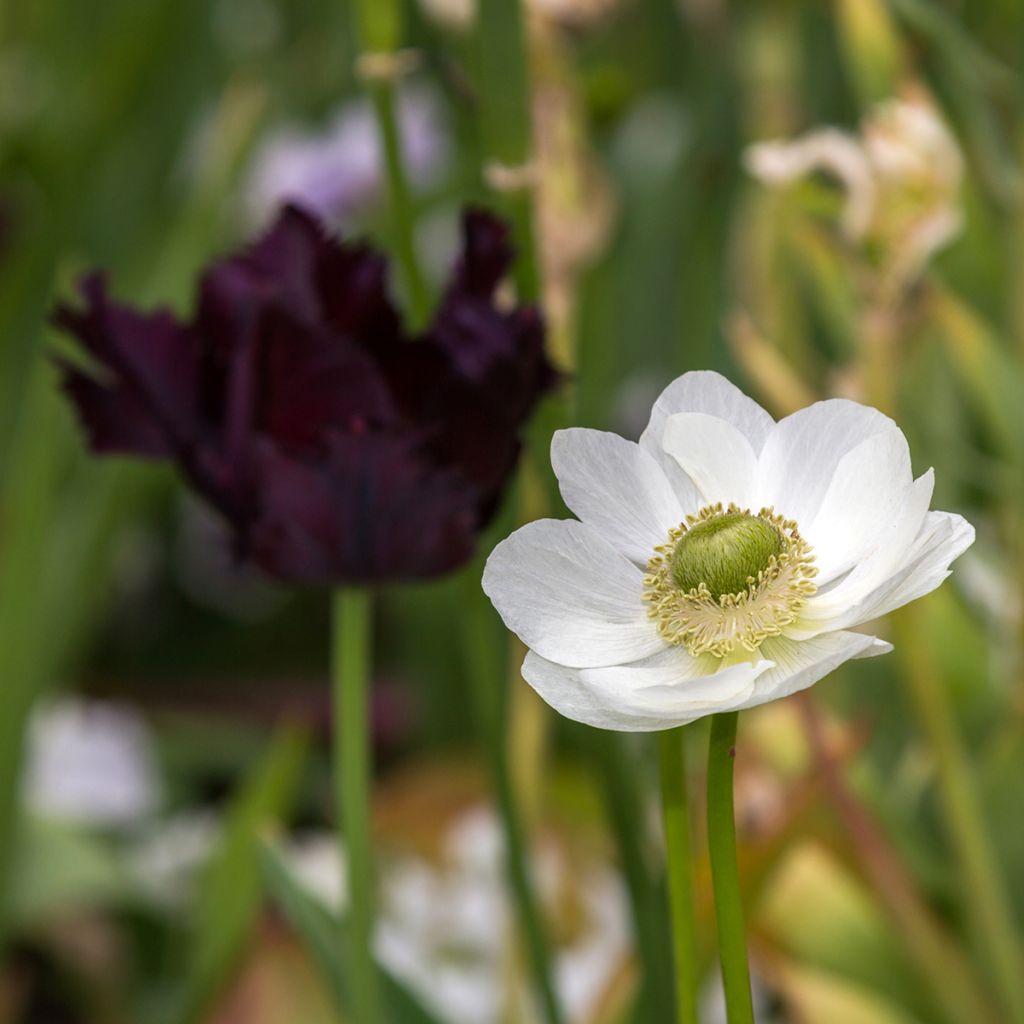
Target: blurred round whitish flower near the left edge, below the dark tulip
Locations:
point(92, 763)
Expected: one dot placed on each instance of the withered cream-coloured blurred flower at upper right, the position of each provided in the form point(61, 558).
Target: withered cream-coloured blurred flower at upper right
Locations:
point(902, 177)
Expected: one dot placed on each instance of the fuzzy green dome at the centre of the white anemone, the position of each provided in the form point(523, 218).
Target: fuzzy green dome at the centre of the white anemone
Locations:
point(726, 553)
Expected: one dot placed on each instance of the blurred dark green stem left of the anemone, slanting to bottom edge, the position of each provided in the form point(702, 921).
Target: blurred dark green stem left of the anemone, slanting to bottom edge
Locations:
point(487, 676)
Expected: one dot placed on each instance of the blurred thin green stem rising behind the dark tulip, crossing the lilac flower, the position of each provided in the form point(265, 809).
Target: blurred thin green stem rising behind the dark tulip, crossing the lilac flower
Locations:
point(379, 33)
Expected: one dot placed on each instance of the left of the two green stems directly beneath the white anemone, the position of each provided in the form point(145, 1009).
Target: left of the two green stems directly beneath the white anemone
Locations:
point(676, 819)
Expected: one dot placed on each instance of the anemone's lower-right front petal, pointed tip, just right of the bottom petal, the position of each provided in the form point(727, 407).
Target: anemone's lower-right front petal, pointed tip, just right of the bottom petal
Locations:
point(799, 664)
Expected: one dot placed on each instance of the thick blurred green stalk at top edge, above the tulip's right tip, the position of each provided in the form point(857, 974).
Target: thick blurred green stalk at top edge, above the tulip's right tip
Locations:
point(506, 124)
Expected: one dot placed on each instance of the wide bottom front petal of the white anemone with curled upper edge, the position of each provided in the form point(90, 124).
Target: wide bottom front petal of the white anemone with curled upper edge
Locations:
point(669, 690)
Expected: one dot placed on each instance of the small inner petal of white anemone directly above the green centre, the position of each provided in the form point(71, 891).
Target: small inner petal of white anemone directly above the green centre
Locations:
point(717, 458)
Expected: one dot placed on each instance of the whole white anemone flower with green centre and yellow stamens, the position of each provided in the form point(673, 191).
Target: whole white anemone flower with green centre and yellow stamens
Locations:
point(721, 563)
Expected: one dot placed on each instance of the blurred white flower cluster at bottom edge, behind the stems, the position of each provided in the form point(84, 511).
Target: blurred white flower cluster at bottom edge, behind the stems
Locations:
point(446, 926)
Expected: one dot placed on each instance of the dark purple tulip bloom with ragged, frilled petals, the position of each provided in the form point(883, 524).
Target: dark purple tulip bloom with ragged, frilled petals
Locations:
point(338, 449)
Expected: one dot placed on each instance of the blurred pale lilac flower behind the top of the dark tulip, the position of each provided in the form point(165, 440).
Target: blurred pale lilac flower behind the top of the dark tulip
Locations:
point(334, 174)
